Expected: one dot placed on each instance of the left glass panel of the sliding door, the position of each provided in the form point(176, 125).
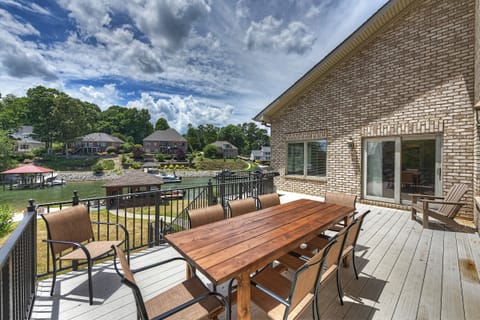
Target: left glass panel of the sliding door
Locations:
point(380, 169)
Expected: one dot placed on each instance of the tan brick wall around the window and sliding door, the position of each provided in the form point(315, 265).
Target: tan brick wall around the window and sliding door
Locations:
point(416, 76)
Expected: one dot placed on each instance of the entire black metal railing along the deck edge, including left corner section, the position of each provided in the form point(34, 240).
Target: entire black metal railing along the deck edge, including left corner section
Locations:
point(147, 216)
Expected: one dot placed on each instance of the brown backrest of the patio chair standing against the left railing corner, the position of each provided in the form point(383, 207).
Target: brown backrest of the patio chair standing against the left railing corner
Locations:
point(69, 224)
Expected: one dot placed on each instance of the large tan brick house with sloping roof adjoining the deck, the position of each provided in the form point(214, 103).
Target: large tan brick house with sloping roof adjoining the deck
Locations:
point(390, 111)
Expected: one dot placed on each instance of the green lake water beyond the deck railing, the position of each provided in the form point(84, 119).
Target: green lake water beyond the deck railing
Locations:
point(18, 199)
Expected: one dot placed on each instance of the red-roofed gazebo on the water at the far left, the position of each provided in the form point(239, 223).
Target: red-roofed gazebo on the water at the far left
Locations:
point(26, 176)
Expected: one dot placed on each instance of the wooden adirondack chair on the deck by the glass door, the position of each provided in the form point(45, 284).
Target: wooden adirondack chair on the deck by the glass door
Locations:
point(447, 209)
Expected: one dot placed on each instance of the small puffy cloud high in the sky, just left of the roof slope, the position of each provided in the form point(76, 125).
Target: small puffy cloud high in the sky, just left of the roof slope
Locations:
point(268, 35)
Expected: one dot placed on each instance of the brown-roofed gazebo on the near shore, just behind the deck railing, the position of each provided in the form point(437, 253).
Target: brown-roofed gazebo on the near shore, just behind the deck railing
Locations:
point(132, 182)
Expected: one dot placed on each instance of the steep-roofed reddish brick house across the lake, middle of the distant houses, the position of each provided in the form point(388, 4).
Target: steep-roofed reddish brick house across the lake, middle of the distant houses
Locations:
point(166, 142)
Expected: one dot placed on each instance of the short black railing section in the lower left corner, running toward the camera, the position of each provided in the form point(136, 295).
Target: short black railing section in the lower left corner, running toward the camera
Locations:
point(18, 273)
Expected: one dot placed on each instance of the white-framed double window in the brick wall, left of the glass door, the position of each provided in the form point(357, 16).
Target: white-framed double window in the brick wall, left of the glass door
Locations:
point(307, 158)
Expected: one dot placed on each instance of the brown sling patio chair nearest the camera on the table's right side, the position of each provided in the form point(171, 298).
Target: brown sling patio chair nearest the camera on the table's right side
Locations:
point(282, 298)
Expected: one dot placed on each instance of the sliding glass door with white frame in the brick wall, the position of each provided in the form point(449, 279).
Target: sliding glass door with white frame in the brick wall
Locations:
point(399, 166)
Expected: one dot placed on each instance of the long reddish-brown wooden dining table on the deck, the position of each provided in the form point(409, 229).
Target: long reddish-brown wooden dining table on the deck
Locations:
point(236, 247)
